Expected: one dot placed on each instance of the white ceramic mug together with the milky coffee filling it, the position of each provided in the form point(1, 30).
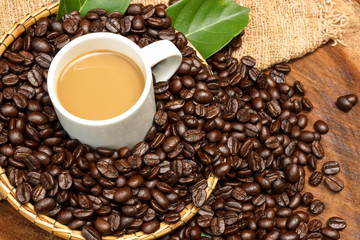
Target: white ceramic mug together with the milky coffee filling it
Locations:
point(93, 98)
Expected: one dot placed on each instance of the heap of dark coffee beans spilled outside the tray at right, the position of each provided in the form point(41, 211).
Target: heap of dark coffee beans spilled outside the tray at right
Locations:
point(260, 197)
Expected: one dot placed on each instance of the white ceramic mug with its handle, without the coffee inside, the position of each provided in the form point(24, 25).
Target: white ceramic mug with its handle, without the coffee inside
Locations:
point(130, 127)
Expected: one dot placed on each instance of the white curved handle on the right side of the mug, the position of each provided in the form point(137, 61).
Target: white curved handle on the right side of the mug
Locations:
point(163, 57)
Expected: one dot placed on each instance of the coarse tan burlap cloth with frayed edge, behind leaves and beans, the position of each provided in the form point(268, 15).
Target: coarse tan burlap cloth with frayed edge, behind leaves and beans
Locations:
point(278, 31)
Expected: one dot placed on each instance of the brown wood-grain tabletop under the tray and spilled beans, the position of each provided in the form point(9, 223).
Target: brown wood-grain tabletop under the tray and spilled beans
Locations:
point(326, 74)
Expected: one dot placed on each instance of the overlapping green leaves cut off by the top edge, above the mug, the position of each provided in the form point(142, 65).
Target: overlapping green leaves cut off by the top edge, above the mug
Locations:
point(83, 6)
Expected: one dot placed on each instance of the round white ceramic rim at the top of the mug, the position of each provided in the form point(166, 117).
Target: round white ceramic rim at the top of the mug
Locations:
point(78, 41)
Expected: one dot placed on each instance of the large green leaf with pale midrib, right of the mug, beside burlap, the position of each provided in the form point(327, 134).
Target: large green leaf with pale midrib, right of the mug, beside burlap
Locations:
point(208, 24)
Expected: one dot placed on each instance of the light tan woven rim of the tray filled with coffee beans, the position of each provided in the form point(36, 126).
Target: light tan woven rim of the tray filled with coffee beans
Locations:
point(8, 191)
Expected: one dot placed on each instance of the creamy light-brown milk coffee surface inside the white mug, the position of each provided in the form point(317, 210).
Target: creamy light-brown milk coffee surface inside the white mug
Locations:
point(100, 85)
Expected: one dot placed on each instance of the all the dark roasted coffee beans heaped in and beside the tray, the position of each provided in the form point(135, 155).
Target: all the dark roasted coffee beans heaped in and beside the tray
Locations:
point(247, 127)
